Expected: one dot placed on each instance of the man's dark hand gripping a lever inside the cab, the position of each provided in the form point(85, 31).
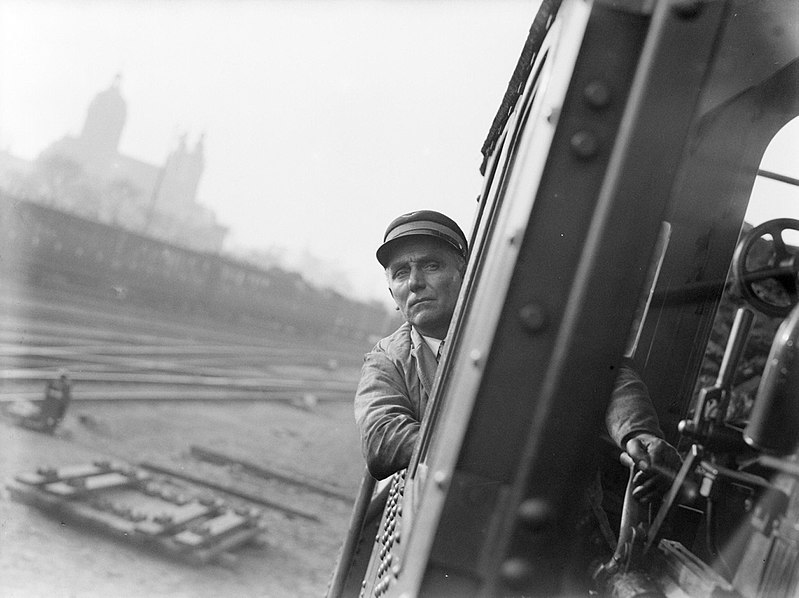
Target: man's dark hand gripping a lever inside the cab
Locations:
point(657, 462)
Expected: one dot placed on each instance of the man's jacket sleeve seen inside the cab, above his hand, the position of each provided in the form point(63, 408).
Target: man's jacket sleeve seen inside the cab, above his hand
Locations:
point(630, 411)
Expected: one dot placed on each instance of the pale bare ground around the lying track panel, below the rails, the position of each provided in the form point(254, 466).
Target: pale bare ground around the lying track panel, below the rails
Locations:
point(42, 557)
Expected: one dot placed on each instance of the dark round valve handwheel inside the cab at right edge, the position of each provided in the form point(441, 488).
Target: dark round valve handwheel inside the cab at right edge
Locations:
point(769, 281)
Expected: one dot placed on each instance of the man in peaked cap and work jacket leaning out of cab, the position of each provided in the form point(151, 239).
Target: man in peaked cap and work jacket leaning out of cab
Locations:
point(424, 255)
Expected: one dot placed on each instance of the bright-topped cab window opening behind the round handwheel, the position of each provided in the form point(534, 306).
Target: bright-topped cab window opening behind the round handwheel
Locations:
point(762, 281)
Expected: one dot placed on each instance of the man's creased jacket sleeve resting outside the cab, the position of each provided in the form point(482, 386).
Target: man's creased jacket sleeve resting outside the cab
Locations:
point(385, 416)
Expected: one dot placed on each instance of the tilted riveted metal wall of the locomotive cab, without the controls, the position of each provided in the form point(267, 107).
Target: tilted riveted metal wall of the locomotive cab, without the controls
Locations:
point(631, 120)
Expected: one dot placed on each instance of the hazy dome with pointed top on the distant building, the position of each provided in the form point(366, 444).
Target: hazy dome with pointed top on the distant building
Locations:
point(105, 120)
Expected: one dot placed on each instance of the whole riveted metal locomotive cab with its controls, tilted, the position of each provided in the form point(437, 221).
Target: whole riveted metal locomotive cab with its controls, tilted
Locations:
point(612, 229)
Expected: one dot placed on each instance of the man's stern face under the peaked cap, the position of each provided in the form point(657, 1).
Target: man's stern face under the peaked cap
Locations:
point(424, 278)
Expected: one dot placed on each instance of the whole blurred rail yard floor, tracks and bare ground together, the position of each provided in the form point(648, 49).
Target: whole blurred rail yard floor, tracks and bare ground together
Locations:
point(205, 404)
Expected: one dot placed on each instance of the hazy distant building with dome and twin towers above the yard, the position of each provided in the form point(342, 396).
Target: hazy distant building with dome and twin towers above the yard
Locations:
point(87, 175)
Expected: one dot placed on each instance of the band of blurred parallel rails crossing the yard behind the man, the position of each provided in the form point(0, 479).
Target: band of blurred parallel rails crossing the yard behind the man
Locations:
point(115, 352)
